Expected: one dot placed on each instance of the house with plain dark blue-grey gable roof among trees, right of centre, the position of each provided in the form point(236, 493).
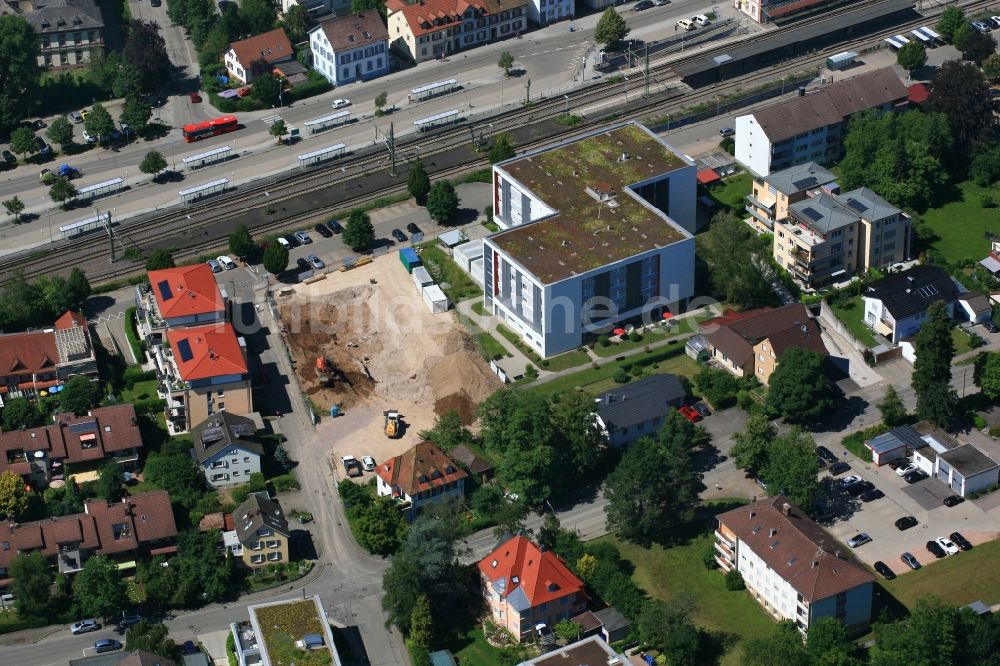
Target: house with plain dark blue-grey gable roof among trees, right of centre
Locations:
point(639, 408)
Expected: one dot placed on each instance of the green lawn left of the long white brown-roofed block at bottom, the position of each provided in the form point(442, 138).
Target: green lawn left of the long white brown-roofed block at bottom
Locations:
point(666, 572)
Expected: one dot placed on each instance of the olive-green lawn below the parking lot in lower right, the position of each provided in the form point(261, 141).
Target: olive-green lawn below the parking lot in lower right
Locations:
point(959, 580)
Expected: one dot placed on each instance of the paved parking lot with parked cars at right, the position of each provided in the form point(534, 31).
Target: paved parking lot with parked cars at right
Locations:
point(922, 500)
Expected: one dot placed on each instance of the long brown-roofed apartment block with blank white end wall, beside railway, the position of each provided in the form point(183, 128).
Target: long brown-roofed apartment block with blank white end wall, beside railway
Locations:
point(811, 127)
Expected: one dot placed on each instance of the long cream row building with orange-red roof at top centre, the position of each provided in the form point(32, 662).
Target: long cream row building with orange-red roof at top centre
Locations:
point(425, 29)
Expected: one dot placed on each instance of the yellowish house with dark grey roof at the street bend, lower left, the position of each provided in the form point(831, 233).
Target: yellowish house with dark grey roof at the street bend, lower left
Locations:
point(261, 533)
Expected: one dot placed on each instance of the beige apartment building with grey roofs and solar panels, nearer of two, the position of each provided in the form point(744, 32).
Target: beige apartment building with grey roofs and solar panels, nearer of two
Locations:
point(828, 237)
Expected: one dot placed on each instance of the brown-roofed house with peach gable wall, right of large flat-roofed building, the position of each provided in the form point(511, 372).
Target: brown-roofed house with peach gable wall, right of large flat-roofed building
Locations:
point(753, 345)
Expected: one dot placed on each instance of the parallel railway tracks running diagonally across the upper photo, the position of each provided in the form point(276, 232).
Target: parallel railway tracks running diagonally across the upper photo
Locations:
point(261, 196)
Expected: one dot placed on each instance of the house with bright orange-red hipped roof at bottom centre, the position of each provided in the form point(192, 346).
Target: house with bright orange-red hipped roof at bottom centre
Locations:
point(525, 586)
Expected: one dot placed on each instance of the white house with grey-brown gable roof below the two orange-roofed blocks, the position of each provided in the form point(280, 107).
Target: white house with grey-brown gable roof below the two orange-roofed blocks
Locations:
point(225, 450)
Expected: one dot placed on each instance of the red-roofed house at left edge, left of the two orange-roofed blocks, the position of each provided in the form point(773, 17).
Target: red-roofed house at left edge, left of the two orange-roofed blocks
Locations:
point(36, 361)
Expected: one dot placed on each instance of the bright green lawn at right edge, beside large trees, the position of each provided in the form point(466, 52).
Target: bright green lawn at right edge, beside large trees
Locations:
point(959, 226)
